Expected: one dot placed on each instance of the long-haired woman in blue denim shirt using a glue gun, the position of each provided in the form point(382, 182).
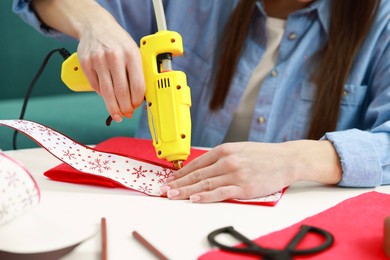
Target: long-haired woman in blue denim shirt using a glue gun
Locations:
point(305, 82)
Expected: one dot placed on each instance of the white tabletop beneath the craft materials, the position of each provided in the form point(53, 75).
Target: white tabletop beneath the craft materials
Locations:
point(177, 228)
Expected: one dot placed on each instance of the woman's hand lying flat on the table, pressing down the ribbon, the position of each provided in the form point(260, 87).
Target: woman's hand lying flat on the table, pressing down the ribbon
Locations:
point(250, 170)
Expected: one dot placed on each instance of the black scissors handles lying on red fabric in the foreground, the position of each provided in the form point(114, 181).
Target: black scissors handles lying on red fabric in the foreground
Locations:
point(288, 252)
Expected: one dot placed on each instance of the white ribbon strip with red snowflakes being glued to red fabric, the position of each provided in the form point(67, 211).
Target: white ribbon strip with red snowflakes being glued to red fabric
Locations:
point(141, 176)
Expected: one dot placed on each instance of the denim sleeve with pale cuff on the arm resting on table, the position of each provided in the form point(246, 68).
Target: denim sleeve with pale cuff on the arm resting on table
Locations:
point(365, 153)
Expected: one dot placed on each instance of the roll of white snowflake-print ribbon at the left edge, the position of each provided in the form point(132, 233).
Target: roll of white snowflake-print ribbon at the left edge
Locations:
point(18, 189)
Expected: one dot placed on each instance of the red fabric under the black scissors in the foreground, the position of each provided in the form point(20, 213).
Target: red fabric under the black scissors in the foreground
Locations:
point(357, 225)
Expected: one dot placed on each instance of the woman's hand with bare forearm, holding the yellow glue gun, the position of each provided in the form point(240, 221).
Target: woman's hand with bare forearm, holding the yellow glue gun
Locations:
point(108, 55)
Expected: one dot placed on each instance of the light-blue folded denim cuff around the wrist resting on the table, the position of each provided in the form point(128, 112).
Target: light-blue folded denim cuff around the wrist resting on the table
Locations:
point(359, 160)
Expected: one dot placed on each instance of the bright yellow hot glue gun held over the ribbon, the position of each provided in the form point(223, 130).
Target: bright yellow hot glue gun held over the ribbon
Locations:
point(168, 98)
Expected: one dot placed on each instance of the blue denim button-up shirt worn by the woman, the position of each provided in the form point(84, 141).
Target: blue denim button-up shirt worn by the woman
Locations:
point(285, 99)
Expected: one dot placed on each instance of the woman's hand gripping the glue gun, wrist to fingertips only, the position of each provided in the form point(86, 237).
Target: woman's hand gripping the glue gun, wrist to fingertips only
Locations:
point(111, 61)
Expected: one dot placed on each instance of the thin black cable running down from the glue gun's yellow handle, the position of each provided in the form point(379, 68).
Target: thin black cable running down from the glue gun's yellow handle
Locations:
point(65, 54)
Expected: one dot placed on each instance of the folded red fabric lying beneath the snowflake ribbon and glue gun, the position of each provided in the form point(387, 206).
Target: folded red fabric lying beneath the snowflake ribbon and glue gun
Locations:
point(140, 149)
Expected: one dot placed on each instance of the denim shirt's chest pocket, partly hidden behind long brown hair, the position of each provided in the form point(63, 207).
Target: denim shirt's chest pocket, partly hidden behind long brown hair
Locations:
point(352, 102)
